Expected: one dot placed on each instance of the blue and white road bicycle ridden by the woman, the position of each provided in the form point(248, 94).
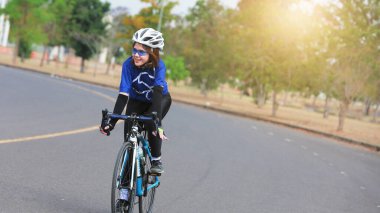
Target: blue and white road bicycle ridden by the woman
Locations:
point(131, 177)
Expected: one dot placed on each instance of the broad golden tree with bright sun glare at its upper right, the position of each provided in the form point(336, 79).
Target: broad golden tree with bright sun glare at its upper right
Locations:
point(270, 48)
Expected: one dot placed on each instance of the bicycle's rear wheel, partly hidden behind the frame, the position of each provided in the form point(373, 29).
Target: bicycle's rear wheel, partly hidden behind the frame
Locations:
point(146, 201)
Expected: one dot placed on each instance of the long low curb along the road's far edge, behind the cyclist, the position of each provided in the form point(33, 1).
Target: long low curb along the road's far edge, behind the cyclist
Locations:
point(245, 115)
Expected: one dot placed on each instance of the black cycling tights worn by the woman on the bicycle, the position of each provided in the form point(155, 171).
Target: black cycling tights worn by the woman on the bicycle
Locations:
point(138, 107)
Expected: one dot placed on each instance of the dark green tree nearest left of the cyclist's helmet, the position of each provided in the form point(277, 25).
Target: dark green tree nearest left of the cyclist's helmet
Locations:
point(86, 28)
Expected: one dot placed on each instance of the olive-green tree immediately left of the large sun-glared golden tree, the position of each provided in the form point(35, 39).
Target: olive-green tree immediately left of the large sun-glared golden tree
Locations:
point(205, 48)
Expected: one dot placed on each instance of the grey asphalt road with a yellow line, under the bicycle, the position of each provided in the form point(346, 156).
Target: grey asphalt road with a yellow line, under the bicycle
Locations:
point(213, 162)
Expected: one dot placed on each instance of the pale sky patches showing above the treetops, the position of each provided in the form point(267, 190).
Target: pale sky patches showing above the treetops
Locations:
point(134, 6)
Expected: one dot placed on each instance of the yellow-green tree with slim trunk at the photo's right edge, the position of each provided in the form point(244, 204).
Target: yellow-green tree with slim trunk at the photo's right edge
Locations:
point(353, 38)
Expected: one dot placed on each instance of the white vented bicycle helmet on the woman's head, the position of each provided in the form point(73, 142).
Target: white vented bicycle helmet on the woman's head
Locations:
point(149, 37)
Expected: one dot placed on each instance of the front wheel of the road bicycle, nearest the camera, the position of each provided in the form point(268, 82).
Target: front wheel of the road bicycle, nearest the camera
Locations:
point(121, 180)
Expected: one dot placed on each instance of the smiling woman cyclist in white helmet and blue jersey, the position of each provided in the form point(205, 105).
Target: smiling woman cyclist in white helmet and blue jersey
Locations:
point(143, 89)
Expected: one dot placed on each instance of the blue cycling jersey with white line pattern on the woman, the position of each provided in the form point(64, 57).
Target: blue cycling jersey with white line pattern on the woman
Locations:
point(138, 83)
